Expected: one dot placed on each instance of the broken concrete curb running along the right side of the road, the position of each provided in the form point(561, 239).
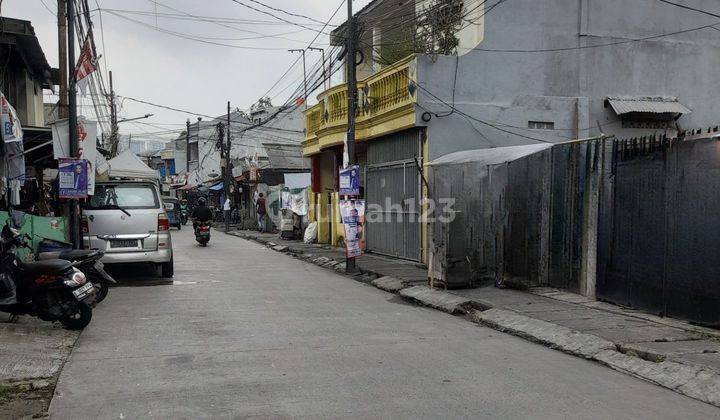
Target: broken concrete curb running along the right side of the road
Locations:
point(693, 381)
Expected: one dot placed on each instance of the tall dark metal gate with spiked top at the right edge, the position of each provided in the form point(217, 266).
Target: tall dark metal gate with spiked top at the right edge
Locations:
point(660, 228)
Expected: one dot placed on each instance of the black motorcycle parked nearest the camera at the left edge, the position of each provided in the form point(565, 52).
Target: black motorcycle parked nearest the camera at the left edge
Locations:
point(52, 290)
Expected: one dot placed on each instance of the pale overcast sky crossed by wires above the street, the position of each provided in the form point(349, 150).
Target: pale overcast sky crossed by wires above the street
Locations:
point(151, 65)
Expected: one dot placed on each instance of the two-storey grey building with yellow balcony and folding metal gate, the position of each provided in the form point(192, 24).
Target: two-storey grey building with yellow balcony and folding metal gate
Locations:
point(521, 72)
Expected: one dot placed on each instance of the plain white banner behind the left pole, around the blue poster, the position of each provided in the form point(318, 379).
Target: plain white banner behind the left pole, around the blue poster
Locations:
point(87, 139)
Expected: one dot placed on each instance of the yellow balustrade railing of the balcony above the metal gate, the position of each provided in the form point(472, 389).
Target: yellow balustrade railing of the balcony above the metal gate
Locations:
point(390, 89)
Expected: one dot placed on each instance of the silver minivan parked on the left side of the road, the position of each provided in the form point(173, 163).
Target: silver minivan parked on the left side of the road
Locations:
point(127, 220)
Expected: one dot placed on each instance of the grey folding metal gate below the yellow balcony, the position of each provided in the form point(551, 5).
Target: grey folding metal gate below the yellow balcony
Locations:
point(393, 190)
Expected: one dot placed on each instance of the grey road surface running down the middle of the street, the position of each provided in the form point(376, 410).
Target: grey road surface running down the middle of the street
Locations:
point(246, 332)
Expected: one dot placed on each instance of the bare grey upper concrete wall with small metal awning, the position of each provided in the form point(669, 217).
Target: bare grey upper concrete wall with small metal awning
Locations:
point(569, 87)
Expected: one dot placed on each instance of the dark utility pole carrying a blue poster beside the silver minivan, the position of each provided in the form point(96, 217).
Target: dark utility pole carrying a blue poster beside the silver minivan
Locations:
point(72, 119)
